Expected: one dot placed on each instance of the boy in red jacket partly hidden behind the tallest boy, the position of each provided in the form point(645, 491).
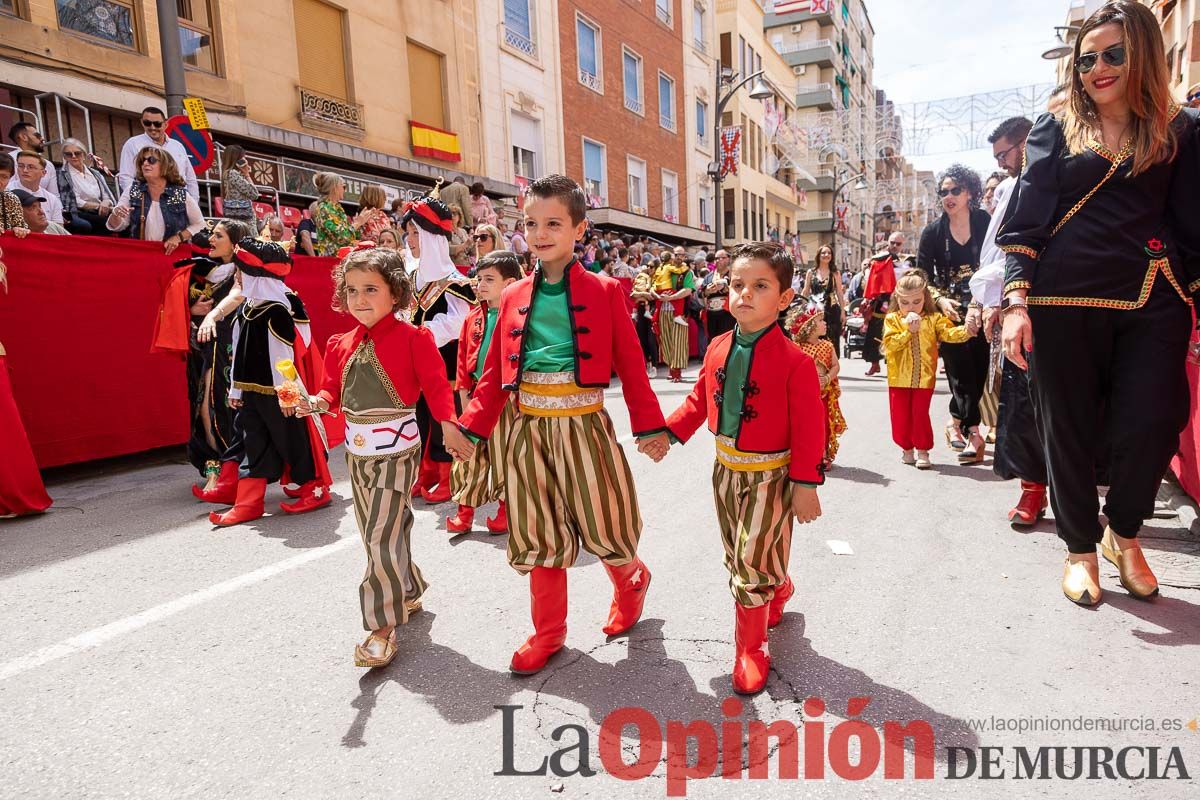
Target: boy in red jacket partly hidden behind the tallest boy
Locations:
point(482, 479)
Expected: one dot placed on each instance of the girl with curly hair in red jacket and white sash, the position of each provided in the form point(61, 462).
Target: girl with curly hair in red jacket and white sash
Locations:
point(375, 375)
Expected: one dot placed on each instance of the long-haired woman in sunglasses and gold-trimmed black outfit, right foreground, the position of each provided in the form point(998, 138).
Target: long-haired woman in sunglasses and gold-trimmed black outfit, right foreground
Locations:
point(1103, 258)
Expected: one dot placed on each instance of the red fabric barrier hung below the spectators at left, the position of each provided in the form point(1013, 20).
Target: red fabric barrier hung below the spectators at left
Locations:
point(77, 323)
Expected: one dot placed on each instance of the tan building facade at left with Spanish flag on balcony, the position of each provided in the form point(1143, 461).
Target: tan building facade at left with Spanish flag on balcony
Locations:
point(388, 98)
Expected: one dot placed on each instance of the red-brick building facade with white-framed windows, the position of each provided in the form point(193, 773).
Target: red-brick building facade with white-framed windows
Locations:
point(625, 128)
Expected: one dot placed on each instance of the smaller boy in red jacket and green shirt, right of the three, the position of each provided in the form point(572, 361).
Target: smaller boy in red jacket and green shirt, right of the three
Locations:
point(761, 396)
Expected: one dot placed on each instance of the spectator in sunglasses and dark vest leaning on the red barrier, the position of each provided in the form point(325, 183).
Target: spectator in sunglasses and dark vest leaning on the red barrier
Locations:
point(157, 207)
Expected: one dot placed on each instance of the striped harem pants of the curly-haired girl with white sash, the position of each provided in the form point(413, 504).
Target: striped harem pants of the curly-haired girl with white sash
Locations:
point(383, 508)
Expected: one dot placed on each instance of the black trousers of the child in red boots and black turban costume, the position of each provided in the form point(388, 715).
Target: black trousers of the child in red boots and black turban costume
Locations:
point(273, 442)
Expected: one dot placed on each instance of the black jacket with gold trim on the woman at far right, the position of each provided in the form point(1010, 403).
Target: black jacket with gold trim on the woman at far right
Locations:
point(1081, 231)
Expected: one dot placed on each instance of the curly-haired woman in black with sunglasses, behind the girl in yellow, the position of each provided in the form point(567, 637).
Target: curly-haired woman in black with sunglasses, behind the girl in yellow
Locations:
point(950, 256)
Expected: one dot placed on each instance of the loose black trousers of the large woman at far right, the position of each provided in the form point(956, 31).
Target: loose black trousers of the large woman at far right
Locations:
point(1126, 369)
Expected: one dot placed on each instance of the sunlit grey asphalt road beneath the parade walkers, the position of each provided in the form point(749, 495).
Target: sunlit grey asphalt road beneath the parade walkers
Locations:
point(145, 654)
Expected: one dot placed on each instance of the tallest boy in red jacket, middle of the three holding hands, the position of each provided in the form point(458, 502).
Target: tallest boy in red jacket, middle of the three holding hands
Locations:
point(562, 333)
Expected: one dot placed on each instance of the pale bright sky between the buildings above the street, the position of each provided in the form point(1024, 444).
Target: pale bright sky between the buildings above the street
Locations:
point(929, 50)
